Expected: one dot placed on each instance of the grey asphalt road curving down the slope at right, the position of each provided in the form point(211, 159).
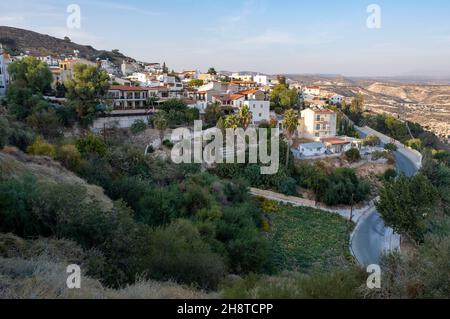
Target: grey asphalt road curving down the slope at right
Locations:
point(371, 238)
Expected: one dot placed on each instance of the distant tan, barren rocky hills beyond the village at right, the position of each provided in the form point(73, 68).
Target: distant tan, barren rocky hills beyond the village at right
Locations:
point(418, 101)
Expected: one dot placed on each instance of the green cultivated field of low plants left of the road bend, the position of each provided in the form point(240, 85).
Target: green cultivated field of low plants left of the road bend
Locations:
point(305, 239)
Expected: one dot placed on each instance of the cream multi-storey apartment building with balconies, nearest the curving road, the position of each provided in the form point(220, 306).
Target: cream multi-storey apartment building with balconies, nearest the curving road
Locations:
point(317, 123)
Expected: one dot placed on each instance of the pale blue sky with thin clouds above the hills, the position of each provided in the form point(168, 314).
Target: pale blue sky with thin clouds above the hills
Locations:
point(272, 36)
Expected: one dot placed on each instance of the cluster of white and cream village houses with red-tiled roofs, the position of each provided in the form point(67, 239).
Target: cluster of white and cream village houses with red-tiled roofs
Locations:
point(138, 88)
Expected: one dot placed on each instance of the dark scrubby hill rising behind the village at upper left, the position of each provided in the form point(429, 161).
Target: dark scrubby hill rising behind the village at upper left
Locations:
point(19, 41)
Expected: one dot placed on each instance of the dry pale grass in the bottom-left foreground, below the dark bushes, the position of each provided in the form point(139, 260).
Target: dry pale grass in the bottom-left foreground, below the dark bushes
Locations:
point(36, 269)
